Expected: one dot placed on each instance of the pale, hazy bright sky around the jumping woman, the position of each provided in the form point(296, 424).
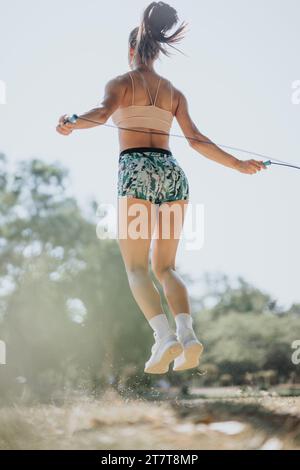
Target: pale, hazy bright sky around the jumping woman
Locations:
point(242, 60)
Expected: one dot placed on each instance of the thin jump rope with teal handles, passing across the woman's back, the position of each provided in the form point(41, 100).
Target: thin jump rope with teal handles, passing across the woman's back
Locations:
point(74, 118)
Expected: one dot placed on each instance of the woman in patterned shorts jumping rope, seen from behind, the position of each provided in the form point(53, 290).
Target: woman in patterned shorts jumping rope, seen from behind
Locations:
point(143, 105)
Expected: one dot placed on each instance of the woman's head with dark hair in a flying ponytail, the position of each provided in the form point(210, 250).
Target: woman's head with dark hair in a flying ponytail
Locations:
point(150, 37)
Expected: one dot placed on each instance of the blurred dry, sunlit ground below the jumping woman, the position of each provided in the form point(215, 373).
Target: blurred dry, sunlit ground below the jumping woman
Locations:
point(266, 422)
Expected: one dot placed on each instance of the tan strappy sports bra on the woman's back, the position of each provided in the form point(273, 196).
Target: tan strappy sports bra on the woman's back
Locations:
point(149, 116)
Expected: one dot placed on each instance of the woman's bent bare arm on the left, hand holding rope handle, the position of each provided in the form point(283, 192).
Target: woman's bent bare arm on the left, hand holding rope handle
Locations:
point(113, 95)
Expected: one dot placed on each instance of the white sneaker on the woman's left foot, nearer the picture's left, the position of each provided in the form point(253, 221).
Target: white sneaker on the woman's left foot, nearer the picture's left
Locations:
point(163, 352)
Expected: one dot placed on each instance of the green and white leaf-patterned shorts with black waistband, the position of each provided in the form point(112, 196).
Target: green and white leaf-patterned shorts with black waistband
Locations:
point(151, 174)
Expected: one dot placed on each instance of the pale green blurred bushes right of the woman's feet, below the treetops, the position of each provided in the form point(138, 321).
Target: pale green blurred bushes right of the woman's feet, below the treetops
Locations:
point(240, 344)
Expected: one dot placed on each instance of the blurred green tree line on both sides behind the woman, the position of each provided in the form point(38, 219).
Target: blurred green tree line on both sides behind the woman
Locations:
point(70, 321)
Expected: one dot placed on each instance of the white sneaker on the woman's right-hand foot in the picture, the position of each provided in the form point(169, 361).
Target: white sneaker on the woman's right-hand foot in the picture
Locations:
point(192, 351)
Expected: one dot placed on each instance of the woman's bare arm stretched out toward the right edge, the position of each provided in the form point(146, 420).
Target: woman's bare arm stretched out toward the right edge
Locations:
point(206, 147)
